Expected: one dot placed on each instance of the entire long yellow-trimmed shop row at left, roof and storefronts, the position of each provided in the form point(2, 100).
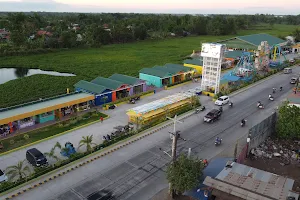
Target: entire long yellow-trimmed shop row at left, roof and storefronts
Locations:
point(26, 115)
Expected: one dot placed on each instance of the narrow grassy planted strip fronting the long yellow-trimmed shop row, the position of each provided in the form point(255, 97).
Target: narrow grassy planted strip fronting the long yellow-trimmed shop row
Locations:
point(48, 131)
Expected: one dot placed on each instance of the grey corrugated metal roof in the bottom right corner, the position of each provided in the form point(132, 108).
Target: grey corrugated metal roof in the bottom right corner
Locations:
point(251, 181)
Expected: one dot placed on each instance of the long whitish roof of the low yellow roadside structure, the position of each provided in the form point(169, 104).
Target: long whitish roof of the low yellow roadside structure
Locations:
point(154, 105)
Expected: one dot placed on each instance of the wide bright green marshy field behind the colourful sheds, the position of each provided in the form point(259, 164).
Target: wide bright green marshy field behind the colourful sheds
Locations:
point(89, 63)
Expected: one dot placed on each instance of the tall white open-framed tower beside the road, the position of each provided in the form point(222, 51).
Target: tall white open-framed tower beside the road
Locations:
point(213, 54)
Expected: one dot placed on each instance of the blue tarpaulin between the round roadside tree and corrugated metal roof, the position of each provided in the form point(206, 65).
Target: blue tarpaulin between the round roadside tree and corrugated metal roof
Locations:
point(212, 170)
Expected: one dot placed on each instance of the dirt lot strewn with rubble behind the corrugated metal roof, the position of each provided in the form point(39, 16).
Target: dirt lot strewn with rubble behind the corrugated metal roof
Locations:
point(279, 157)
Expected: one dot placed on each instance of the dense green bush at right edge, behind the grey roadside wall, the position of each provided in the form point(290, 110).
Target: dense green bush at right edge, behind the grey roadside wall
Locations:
point(288, 125)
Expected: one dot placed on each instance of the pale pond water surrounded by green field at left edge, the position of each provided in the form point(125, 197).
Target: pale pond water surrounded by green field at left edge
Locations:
point(7, 74)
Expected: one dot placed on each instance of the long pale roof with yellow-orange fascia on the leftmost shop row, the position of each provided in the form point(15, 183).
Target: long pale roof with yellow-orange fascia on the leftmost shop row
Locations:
point(43, 106)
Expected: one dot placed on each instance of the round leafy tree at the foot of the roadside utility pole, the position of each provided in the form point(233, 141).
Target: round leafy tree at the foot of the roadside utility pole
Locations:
point(184, 174)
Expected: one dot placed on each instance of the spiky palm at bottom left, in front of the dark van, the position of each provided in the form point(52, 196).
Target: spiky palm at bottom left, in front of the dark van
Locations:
point(18, 172)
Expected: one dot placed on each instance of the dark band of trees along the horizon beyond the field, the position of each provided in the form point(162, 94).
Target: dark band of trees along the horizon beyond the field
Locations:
point(93, 30)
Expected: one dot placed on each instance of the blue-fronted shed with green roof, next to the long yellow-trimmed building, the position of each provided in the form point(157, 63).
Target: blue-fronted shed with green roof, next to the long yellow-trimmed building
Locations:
point(102, 94)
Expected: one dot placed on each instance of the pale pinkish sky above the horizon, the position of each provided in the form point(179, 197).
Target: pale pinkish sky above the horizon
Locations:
point(277, 7)
